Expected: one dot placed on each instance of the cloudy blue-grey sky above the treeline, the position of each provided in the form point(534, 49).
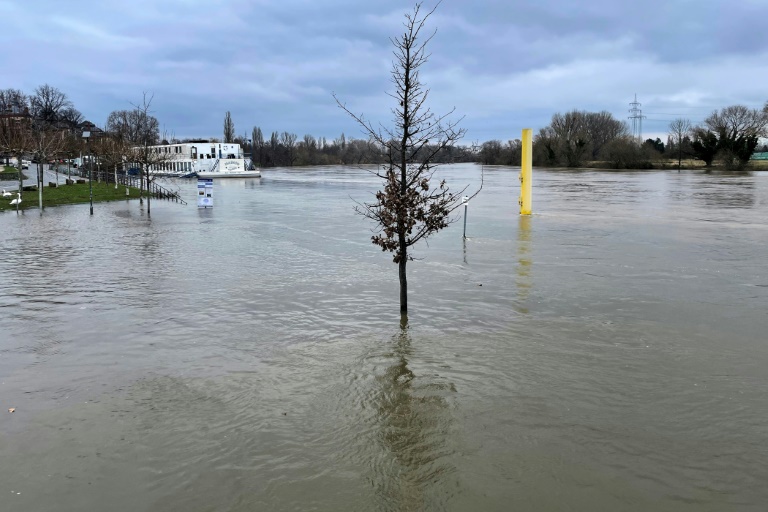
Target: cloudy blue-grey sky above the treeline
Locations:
point(503, 65)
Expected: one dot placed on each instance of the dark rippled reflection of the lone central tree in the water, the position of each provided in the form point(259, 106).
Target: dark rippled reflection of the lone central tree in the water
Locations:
point(415, 424)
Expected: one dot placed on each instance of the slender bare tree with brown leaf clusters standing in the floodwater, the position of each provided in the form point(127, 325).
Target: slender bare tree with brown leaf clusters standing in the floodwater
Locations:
point(410, 207)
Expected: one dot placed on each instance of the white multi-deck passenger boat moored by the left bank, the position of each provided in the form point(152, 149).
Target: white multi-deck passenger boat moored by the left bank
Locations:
point(206, 160)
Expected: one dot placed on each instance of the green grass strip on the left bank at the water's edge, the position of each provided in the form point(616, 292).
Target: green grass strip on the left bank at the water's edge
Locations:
point(76, 193)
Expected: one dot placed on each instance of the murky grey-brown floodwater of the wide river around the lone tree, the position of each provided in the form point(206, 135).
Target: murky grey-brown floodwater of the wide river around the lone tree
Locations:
point(607, 353)
